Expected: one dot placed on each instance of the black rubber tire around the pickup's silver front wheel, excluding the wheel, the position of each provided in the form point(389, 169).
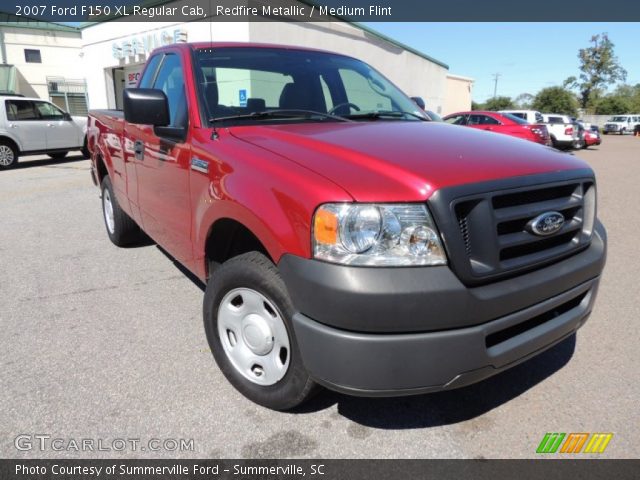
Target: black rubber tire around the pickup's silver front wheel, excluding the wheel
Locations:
point(256, 272)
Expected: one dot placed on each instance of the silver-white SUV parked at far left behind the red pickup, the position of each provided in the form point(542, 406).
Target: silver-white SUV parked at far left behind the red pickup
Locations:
point(30, 126)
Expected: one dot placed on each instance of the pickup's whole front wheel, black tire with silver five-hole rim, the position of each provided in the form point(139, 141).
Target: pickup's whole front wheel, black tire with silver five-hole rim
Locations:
point(247, 320)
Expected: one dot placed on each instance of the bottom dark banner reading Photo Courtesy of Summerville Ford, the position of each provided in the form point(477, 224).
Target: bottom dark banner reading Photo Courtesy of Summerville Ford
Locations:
point(319, 469)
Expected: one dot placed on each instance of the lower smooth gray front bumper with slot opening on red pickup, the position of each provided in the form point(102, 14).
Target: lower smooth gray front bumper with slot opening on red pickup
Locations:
point(406, 364)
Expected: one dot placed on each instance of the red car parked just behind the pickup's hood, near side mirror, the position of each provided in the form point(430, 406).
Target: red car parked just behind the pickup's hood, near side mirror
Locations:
point(501, 123)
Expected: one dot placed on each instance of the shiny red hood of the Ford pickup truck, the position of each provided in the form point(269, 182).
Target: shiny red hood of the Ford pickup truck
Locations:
point(393, 161)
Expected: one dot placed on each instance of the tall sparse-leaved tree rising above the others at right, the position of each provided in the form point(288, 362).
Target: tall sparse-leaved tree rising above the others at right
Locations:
point(599, 66)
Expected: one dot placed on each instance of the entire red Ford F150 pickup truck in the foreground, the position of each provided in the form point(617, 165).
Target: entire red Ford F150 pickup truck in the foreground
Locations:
point(345, 239)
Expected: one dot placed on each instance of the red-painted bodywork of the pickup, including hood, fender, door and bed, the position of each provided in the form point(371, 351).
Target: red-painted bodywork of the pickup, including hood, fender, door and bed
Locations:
point(272, 178)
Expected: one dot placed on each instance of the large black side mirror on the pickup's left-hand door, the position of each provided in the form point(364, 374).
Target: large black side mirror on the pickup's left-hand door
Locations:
point(146, 106)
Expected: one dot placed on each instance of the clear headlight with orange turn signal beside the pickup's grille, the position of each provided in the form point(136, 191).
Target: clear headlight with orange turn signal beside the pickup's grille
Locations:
point(376, 235)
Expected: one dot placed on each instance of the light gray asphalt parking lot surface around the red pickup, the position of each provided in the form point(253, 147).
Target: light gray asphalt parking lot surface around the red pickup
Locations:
point(105, 344)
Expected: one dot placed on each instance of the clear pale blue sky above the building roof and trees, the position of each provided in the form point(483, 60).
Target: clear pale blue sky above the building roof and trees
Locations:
point(528, 56)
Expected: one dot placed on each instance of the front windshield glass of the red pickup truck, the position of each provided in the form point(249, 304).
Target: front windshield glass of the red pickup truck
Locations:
point(243, 84)
